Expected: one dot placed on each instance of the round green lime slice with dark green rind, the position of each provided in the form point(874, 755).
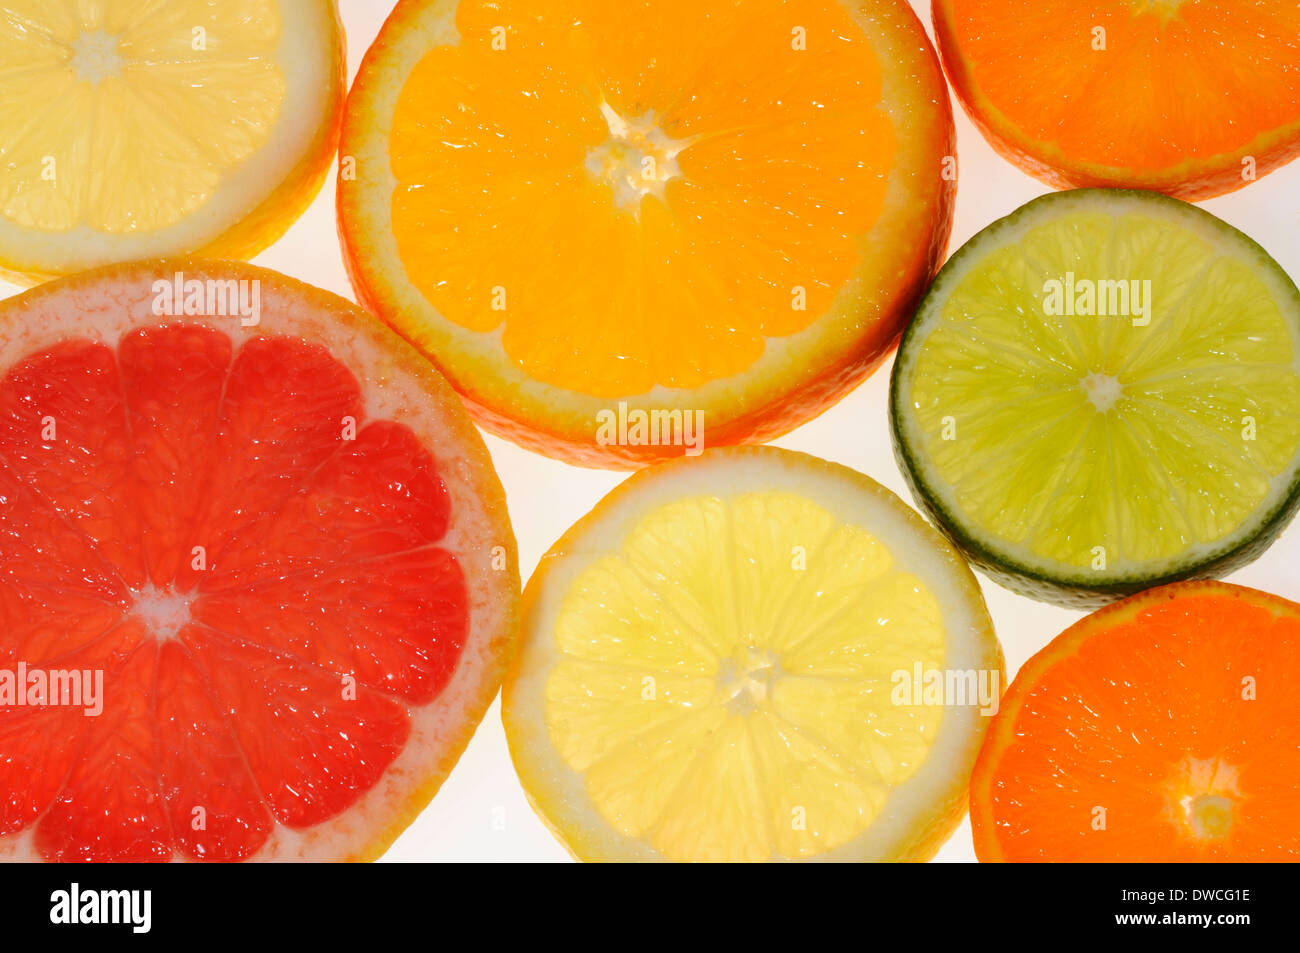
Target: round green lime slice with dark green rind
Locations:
point(1102, 393)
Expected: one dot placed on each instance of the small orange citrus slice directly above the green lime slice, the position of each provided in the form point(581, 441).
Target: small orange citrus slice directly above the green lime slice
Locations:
point(1191, 98)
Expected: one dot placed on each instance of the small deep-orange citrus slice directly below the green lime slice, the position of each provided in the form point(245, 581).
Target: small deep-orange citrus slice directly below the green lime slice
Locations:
point(1159, 729)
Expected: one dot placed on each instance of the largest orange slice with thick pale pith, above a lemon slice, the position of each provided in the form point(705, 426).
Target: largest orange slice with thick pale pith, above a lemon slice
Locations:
point(614, 226)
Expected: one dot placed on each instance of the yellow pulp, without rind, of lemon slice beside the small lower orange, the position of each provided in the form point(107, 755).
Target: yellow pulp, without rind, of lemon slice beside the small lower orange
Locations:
point(738, 659)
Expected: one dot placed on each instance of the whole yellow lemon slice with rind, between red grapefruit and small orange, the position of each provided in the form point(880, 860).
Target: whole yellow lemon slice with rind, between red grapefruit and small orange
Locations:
point(726, 661)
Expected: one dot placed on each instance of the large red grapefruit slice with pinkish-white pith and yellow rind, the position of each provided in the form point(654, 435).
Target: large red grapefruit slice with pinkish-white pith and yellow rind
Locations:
point(265, 574)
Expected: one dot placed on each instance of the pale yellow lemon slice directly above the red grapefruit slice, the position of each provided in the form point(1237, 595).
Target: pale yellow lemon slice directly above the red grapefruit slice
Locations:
point(185, 127)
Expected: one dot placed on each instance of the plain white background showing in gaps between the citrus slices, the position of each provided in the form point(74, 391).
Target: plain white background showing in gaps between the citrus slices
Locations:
point(482, 815)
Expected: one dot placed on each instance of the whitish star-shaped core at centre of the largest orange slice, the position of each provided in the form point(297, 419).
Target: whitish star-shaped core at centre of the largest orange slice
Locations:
point(636, 161)
